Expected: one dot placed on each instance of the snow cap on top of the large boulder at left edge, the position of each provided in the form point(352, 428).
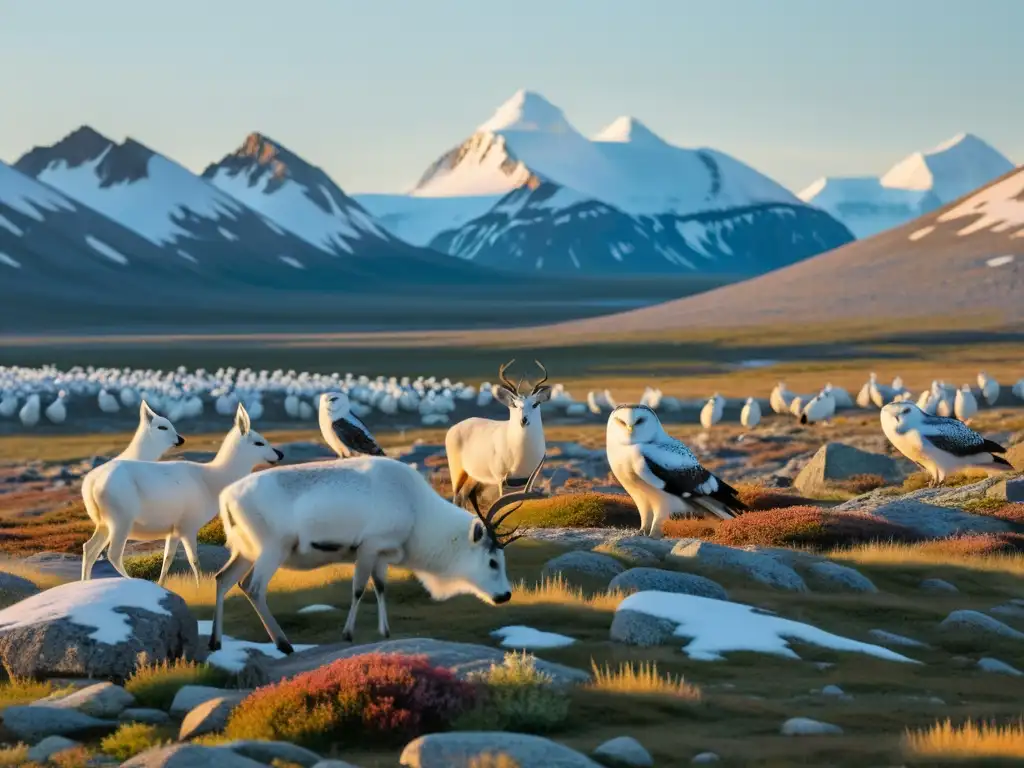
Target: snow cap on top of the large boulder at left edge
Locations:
point(90, 605)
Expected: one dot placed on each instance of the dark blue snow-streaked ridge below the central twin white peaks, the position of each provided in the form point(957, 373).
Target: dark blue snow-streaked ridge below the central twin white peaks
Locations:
point(552, 229)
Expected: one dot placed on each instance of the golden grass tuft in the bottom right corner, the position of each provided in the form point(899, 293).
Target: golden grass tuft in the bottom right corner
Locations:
point(968, 742)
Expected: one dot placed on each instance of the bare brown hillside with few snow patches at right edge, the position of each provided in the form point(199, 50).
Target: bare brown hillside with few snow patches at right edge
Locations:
point(961, 263)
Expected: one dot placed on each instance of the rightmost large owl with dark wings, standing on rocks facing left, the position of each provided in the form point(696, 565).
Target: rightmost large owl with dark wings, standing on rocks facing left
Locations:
point(940, 446)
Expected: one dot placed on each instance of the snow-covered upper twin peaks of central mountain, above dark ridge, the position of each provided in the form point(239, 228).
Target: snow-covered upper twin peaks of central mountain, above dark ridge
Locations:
point(529, 141)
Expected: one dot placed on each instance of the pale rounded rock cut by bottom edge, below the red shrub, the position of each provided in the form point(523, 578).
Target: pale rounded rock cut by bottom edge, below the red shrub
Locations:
point(462, 750)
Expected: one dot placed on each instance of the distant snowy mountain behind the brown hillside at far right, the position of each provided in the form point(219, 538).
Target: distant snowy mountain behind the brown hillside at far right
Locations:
point(919, 184)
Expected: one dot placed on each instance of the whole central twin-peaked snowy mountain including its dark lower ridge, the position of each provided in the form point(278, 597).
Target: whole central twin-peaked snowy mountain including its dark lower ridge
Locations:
point(623, 202)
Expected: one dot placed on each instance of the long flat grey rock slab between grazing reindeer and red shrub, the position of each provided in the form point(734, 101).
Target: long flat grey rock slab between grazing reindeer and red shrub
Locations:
point(462, 659)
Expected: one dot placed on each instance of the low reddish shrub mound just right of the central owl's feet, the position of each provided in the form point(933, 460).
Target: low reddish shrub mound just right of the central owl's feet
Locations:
point(809, 527)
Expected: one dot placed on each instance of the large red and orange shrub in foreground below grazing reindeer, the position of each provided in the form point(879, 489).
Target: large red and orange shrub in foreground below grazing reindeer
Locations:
point(386, 698)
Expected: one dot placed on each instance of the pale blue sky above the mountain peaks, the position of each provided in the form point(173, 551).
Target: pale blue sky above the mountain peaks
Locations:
point(373, 92)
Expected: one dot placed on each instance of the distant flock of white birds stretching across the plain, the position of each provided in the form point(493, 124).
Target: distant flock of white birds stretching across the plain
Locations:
point(51, 396)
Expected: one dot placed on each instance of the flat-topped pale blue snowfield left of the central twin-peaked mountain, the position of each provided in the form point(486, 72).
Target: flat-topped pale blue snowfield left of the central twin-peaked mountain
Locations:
point(418, 221)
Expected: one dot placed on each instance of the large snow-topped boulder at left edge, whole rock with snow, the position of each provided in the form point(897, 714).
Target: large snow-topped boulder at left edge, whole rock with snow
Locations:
point(96, 629)
